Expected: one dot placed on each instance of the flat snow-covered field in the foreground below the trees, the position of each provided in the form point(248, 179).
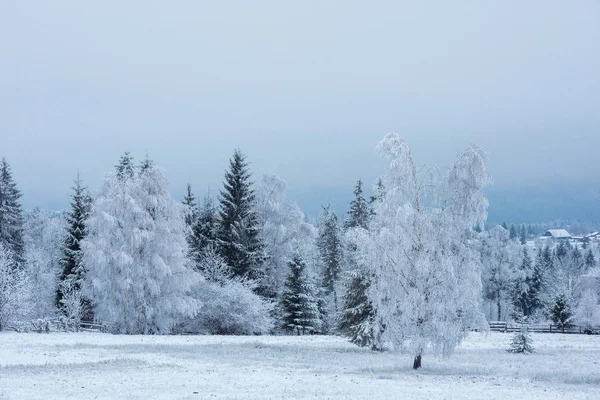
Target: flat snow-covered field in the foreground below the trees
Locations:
point(104, 366)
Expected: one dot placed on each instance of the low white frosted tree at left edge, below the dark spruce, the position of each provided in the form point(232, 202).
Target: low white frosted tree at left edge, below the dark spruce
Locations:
point(15, 290)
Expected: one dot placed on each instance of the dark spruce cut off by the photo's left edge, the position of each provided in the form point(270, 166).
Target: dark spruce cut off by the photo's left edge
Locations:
point(11, 216)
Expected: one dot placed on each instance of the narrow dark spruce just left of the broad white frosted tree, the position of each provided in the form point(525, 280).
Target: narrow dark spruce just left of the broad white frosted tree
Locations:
point(72, 265)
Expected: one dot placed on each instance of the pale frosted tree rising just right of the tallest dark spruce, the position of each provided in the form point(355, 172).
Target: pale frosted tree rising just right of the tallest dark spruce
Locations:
point(283, 228)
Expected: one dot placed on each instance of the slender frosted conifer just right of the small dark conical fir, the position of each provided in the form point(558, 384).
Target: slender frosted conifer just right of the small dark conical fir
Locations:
point(330, 246)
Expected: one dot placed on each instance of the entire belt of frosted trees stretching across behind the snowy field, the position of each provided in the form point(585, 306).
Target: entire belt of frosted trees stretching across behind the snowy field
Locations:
point(407, 268)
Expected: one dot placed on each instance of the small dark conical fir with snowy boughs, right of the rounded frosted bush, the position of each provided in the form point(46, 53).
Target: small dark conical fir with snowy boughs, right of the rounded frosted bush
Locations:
point(300, 306)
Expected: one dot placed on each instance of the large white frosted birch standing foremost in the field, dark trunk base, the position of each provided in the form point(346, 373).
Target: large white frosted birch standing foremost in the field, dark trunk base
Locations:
point(426, 283)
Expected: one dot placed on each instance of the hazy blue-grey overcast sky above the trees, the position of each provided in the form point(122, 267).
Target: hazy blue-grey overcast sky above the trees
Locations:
point(304, 88)
